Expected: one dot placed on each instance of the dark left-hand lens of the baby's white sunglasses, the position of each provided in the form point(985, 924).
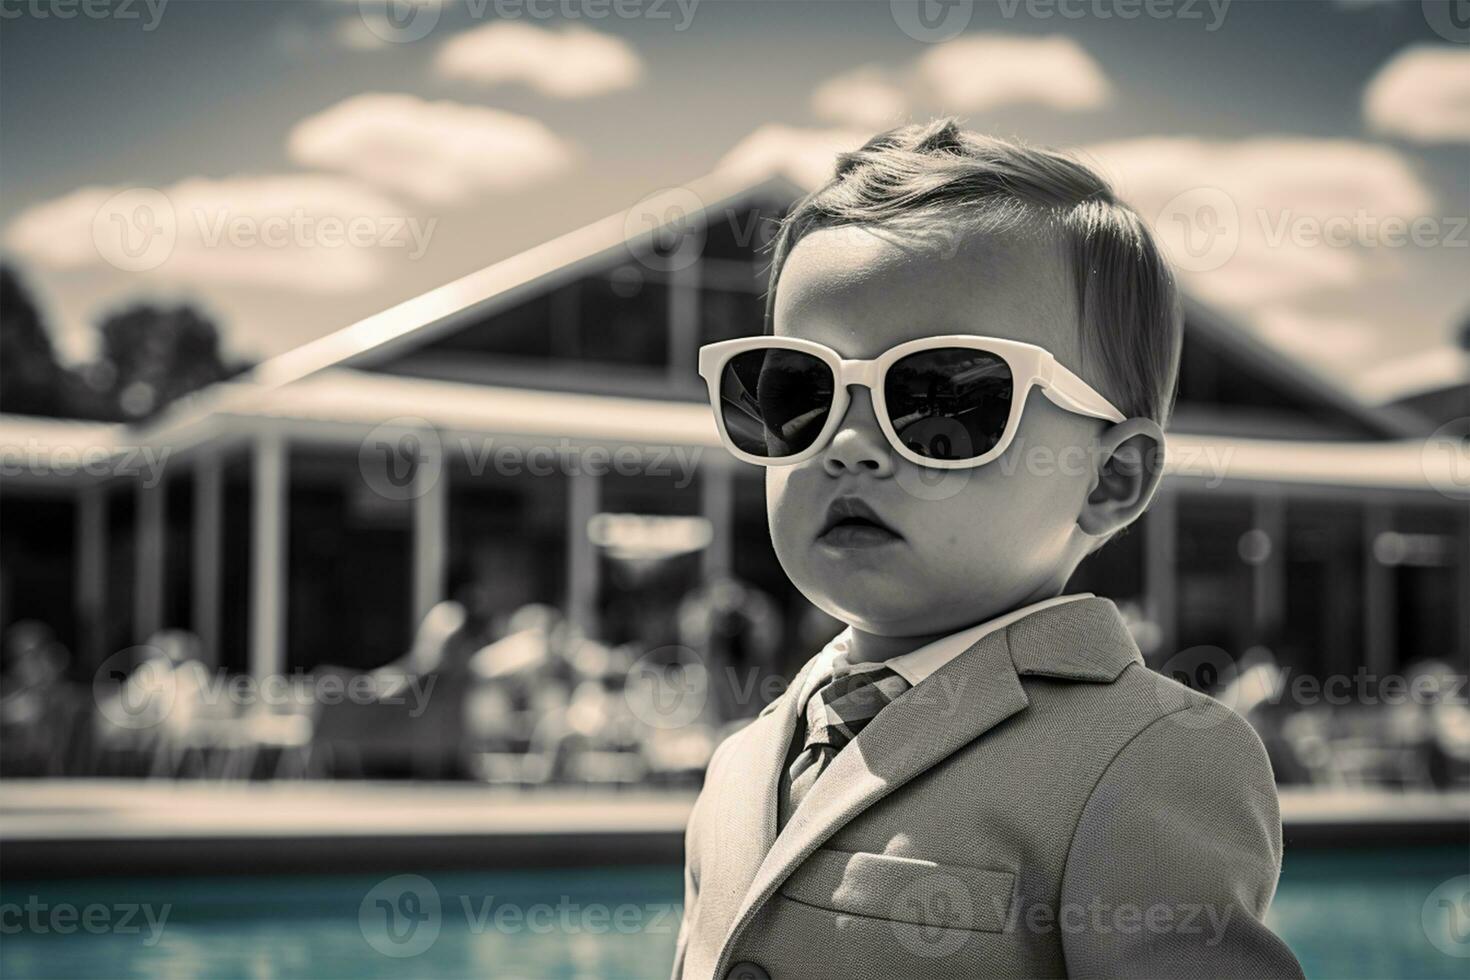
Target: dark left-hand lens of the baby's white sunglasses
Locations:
point(775, 402)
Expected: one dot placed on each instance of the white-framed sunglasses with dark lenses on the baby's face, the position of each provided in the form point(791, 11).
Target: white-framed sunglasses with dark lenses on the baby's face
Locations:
point(943, 402)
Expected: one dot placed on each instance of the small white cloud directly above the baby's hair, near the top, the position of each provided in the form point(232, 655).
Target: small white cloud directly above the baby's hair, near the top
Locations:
point(989, 71)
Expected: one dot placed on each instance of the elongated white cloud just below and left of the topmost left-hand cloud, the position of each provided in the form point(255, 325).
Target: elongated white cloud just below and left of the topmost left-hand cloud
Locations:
point(437, 152)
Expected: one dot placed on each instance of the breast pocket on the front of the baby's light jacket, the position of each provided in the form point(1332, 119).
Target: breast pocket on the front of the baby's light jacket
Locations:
point(905, 890)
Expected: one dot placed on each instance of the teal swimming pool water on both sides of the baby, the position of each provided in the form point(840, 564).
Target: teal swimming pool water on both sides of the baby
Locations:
point(1344, 913)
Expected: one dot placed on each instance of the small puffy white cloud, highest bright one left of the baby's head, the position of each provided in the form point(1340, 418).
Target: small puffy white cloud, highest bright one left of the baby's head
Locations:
point(567, 64)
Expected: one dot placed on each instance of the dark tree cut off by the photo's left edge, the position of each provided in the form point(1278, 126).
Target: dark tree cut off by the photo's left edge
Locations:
point(32, 380)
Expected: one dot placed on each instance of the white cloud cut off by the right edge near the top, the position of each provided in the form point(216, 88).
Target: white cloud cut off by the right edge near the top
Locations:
point(1424, 95)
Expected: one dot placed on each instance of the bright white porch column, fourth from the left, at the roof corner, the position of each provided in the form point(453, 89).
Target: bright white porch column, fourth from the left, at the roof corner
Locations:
point(268, 558)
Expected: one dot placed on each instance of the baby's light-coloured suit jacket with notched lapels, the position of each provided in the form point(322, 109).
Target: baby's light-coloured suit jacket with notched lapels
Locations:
point(1043, 806)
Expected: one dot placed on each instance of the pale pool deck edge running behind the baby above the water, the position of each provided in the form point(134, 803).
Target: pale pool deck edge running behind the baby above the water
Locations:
point(51, 828)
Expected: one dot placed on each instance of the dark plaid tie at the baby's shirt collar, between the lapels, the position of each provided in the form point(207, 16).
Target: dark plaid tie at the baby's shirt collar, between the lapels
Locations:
point(837, 713)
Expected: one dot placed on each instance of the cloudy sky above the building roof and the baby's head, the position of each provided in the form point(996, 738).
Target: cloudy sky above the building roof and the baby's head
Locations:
point(292, 167)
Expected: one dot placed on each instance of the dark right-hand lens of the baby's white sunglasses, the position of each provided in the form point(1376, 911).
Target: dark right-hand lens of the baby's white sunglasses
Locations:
point(950, 403)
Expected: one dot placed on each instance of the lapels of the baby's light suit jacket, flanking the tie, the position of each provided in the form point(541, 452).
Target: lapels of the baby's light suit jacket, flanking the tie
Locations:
point(955, 706)
